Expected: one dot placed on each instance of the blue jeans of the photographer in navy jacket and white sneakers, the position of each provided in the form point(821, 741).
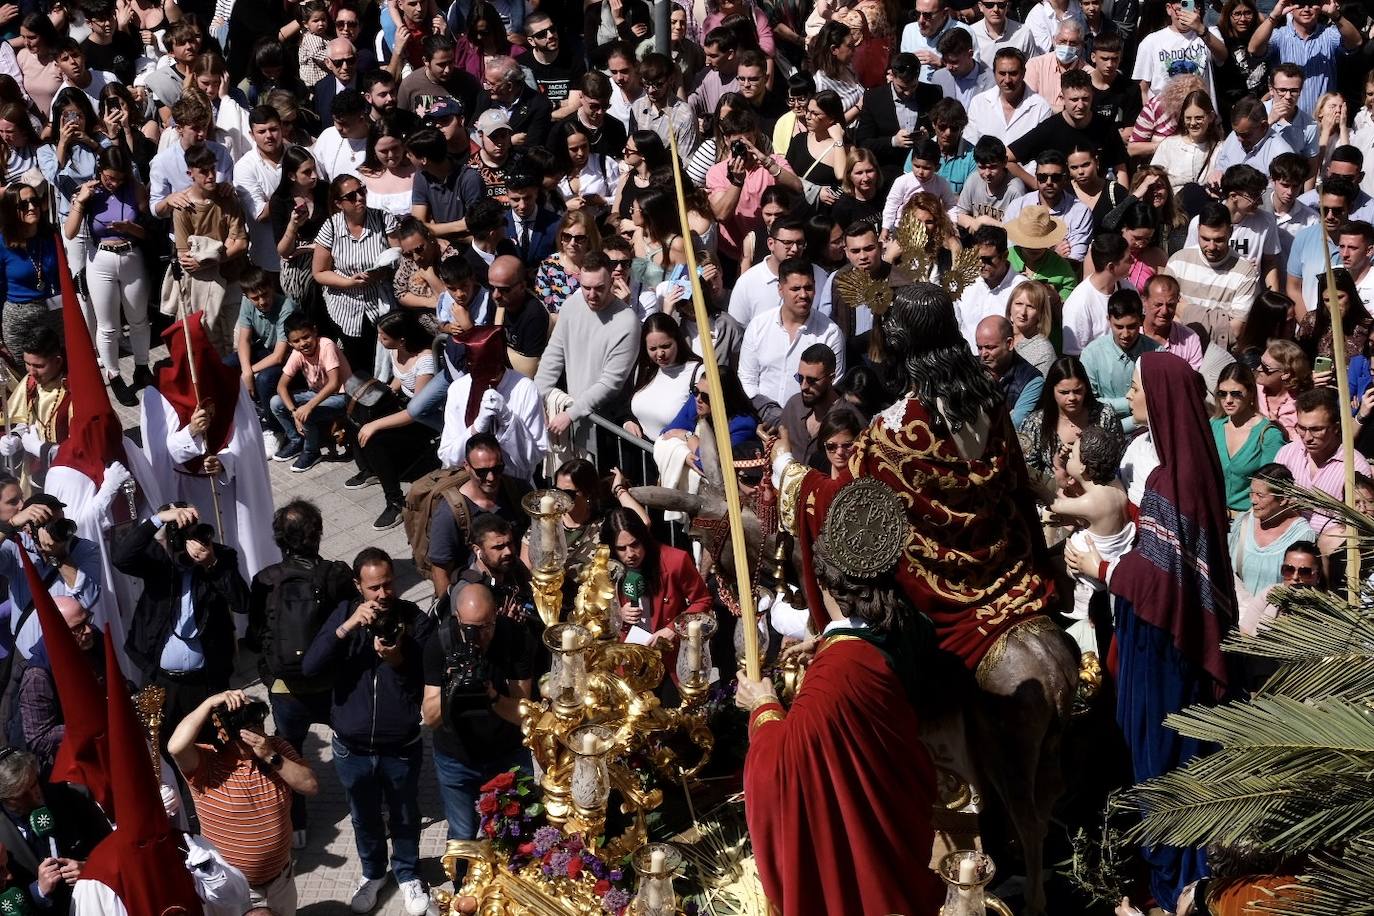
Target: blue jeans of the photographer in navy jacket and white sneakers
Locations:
point(369, 781)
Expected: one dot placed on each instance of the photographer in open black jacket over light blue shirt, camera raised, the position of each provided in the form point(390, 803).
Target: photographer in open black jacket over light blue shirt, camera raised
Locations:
point(182, 635)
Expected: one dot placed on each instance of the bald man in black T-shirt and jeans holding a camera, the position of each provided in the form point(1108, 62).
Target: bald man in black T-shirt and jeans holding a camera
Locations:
point(479, 667)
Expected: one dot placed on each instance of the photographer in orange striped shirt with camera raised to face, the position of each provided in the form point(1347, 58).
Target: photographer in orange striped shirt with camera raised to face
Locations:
point(243, 785)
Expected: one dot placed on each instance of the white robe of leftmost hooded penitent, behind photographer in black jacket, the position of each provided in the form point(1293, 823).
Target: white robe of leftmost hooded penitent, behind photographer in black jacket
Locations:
point(93, 510)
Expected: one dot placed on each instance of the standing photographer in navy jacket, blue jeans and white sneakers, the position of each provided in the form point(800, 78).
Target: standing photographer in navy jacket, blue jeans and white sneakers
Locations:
point(372, 649)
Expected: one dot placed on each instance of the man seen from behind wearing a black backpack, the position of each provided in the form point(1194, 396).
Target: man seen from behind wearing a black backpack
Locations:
point(288, 605)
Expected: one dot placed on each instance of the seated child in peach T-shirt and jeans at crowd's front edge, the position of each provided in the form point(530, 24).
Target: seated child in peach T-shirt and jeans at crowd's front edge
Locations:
point(314, 409)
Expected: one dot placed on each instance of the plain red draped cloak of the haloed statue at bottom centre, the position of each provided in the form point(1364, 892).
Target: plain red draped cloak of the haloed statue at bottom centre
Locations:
point(839, 793)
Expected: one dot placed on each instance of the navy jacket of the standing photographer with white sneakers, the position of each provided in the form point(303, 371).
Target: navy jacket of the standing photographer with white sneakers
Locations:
point(377, 708)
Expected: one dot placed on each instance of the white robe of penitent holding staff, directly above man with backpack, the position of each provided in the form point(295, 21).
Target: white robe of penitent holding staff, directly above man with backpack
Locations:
point(245, 487)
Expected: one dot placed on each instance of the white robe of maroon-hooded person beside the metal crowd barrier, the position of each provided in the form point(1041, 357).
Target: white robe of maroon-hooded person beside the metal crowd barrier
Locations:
point(524, 440)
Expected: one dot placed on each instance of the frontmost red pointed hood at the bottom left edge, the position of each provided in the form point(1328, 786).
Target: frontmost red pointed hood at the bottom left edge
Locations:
point(142, 860)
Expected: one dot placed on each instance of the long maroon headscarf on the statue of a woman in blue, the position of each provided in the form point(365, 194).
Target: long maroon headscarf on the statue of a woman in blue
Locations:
point(1180, 573)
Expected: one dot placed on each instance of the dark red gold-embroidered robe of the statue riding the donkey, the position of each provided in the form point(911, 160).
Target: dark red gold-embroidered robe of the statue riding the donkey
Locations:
point(976, 564)
